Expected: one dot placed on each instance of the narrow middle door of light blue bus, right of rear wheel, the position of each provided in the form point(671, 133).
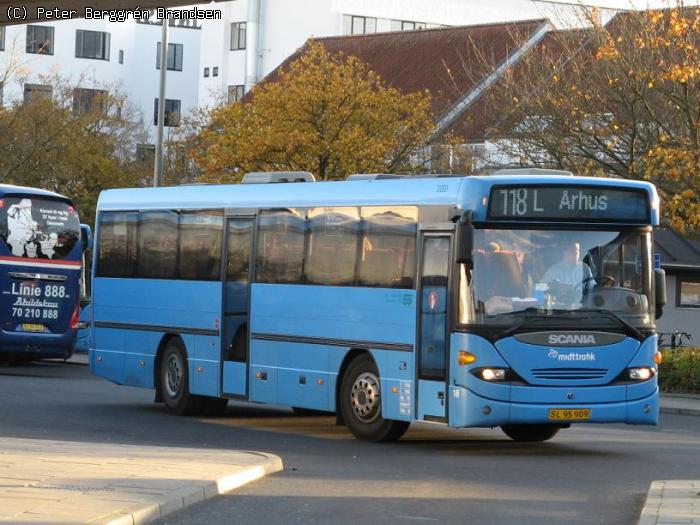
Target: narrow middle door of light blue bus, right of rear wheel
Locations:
point(234, 343)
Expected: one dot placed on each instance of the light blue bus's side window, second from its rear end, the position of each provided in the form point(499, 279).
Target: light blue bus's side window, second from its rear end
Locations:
point(157, 244)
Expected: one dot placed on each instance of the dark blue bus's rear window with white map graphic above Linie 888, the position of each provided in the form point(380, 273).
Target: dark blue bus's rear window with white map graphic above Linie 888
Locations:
point(37, 228)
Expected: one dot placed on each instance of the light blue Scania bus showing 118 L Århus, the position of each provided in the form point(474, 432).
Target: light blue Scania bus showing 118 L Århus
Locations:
point(525, 301)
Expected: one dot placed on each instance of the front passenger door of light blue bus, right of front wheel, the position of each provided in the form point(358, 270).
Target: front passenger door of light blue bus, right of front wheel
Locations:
point(432, 325)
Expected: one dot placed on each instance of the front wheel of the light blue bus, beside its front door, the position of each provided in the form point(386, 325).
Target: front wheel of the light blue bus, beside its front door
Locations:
point(360, 403)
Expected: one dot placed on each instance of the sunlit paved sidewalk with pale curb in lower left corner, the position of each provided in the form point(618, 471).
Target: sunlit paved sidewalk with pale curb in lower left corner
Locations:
point(60, 482)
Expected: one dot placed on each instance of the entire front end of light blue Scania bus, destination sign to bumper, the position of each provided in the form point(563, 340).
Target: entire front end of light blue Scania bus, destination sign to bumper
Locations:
point(556, 308)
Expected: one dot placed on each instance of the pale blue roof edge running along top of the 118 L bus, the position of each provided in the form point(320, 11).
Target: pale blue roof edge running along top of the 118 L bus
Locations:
point(461, 192)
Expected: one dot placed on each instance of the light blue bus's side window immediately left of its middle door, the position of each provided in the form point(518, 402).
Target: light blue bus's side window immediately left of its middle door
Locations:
point(200, 245)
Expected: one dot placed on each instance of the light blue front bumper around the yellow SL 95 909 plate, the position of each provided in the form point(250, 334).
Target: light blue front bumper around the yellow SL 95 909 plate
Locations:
point(467, 409)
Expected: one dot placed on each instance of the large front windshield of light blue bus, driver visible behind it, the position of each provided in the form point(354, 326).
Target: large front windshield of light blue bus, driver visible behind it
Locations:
point(564, 277)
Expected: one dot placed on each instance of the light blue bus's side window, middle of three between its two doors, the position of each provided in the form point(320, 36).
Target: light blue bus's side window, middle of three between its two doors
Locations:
point(332, 246)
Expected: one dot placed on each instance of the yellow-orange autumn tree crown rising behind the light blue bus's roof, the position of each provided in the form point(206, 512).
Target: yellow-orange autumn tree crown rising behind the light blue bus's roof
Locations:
point(325, 113)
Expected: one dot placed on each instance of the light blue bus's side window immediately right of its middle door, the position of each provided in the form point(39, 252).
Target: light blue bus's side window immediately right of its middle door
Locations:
point(280, 249)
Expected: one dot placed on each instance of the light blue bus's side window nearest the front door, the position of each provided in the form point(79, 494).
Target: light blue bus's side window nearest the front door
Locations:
point(388, 246)
